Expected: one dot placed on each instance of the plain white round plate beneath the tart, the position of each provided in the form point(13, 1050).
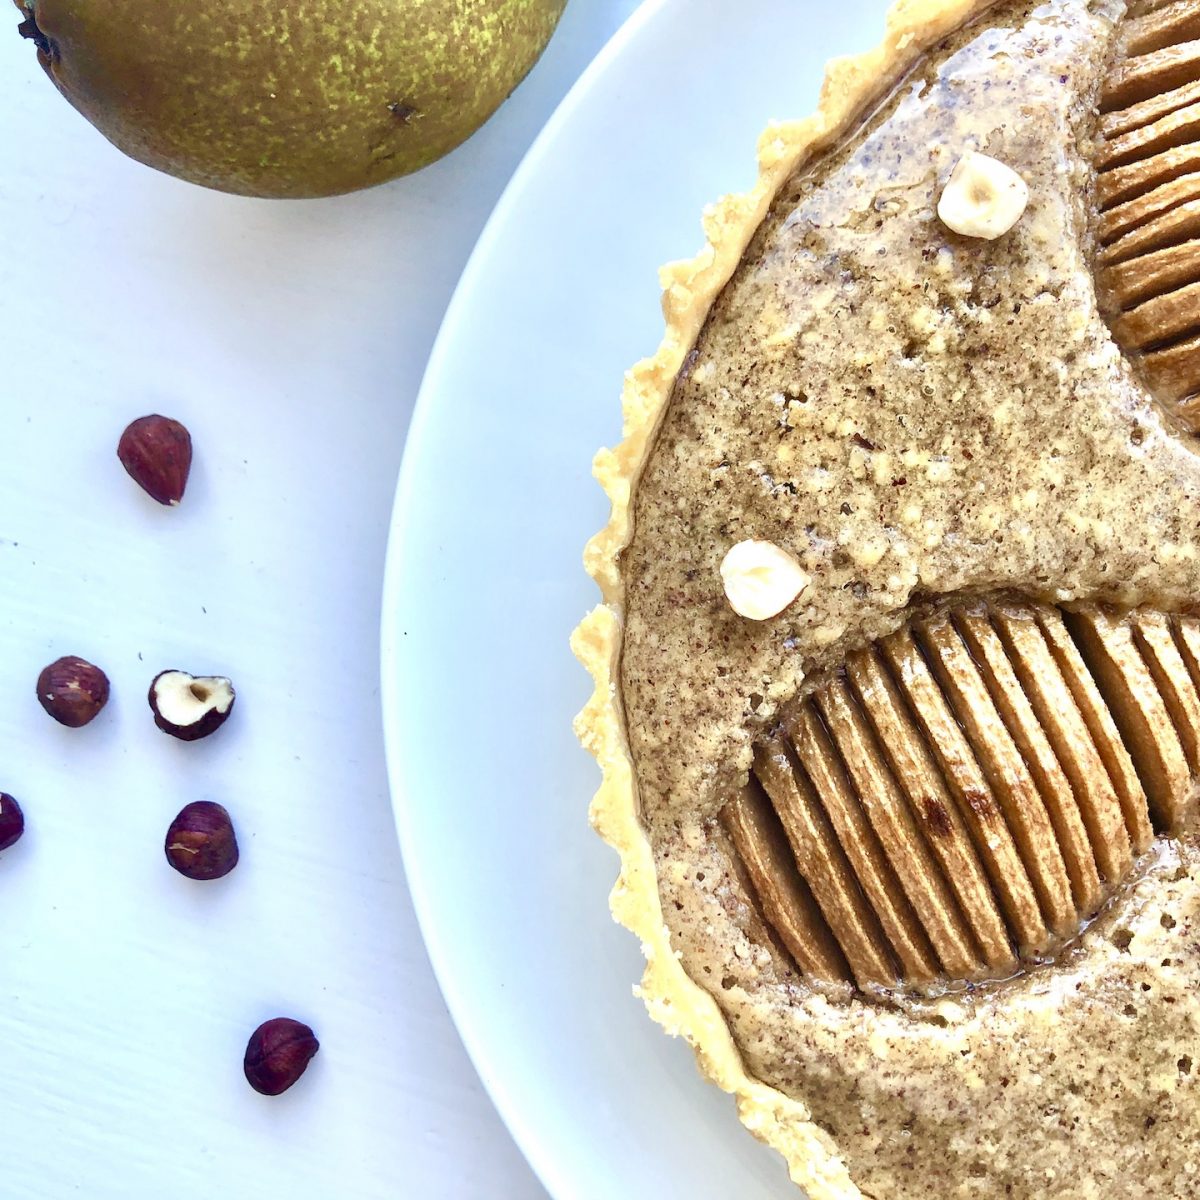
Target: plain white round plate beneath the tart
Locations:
point(485, 585)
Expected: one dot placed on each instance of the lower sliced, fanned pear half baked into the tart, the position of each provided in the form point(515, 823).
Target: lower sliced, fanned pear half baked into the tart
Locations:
point(967, 795)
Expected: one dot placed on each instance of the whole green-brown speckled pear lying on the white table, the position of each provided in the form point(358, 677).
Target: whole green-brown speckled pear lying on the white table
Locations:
point(289, 98)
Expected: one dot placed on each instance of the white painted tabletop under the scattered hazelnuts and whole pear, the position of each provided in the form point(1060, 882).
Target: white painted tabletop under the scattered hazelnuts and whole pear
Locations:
point(291, 339)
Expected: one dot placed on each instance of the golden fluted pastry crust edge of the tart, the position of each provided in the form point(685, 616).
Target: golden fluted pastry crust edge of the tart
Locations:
point(691, 289)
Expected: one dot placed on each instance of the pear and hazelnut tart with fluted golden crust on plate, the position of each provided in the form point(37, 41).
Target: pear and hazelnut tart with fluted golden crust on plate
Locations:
point(898, 662)
